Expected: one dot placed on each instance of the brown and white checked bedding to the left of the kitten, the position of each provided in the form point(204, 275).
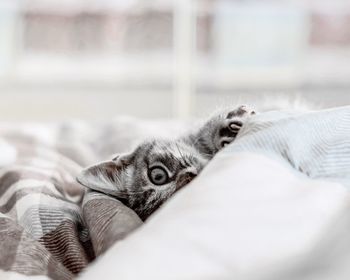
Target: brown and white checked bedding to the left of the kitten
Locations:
point(49, 226)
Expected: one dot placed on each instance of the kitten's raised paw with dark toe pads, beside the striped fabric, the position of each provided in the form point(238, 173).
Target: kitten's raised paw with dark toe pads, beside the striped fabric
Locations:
point(232, 123)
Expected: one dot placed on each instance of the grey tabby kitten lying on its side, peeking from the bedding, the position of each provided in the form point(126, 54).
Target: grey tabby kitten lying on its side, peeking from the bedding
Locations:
point(145, 178)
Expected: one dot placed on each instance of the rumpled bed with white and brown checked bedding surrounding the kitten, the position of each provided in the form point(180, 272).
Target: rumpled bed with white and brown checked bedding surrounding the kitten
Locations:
point(272, 205)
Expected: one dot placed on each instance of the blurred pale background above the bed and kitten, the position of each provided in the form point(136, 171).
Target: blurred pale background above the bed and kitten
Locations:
point(95, 59)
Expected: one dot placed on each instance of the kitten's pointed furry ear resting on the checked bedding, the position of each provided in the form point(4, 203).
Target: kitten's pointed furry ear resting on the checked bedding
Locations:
point(107, 176)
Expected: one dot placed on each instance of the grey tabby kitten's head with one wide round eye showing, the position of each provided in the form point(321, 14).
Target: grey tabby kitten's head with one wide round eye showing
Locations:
point(148, 176)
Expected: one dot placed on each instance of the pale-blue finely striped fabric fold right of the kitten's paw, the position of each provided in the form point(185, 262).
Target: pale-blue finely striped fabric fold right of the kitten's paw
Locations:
point(316, 144)
